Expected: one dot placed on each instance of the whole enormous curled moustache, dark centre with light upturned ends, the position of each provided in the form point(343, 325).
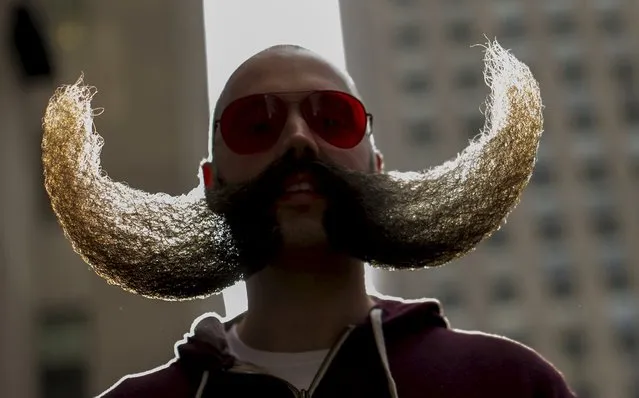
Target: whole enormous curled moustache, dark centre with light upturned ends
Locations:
point(195, 245)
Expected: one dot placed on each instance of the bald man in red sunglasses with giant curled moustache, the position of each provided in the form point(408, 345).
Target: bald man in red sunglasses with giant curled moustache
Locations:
point(299, 183)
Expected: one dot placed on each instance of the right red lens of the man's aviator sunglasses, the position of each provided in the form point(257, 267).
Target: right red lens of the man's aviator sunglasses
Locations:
point(338, 118)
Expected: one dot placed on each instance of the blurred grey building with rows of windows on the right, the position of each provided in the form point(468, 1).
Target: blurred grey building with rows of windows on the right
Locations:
point(562, 275)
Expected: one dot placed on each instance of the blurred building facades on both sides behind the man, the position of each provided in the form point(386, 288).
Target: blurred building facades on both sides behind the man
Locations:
point(562, 276)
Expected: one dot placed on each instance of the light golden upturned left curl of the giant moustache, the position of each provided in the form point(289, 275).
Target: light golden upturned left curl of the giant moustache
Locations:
point(129, 237)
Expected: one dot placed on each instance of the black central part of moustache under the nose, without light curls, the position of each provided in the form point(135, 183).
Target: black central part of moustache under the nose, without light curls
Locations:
point(248, 208)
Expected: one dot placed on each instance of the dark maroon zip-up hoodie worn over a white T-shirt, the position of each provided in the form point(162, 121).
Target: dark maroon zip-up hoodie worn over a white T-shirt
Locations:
point(403, 350)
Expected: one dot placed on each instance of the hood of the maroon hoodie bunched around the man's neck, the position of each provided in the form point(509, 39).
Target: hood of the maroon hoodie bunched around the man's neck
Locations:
point(206, 348)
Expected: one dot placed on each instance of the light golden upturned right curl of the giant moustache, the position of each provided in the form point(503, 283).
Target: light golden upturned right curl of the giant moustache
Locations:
point(463, 201)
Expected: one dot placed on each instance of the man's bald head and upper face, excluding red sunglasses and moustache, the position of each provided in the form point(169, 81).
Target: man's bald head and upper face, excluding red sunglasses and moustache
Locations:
point(287, 70)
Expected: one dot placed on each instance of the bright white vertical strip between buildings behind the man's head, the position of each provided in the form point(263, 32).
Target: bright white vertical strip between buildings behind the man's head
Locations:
point(235, 30)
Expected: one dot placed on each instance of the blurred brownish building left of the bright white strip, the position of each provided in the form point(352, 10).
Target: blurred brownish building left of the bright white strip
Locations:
point(63, 331)
